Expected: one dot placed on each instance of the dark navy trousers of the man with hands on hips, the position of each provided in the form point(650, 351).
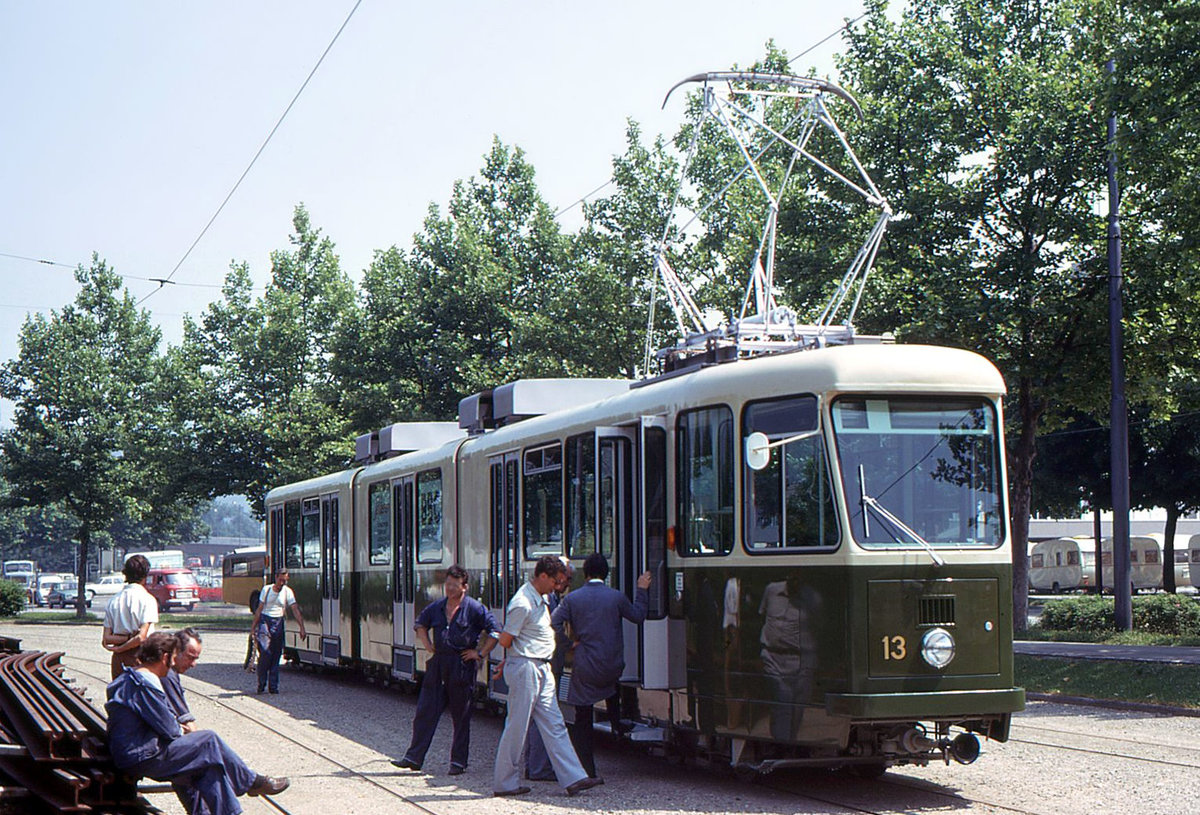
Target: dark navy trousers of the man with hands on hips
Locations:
point(449, 685)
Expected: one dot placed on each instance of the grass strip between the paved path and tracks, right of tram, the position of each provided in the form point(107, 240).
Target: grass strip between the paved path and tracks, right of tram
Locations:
point(1155, 684)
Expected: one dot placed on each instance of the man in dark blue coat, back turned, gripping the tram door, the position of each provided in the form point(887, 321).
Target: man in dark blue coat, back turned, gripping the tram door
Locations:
point(595, 613)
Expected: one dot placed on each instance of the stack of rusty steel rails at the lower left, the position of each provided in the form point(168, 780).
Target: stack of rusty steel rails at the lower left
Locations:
point(53, 744)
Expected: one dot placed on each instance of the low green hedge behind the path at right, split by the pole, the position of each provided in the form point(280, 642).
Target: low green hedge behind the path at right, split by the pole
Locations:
point(1156, 614)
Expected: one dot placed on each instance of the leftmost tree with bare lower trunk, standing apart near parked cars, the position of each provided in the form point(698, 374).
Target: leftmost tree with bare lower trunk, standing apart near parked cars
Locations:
point(82, 386)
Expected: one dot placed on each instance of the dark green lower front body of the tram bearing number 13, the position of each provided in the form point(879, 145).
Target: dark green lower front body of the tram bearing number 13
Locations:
point(831, 656)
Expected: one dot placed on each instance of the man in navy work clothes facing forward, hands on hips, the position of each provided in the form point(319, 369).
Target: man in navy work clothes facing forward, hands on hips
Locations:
point(464, 636)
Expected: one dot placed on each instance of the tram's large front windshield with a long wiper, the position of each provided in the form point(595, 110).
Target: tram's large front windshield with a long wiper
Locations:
point(920, 471)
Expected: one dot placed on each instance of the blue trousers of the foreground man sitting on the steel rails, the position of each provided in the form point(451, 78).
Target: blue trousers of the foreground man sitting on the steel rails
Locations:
point(207, 774)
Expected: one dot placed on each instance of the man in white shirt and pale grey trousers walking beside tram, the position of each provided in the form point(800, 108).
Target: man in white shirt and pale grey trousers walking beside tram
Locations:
point(530, 643)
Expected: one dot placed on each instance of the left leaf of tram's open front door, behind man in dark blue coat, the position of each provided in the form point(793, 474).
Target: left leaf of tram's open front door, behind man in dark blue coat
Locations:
point(616, 512)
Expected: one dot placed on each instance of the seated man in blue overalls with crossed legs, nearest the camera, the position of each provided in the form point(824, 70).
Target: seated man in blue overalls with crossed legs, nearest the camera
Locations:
point(145, 739)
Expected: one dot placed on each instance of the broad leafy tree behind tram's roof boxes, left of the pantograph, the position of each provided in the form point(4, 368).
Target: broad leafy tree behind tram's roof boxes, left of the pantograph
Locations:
point(477, 302)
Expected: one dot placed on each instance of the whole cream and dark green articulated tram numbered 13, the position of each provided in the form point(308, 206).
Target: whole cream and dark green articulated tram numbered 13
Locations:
point(843, 603)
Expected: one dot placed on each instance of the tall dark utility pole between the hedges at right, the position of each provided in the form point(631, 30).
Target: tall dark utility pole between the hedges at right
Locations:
point(1121, 589)
